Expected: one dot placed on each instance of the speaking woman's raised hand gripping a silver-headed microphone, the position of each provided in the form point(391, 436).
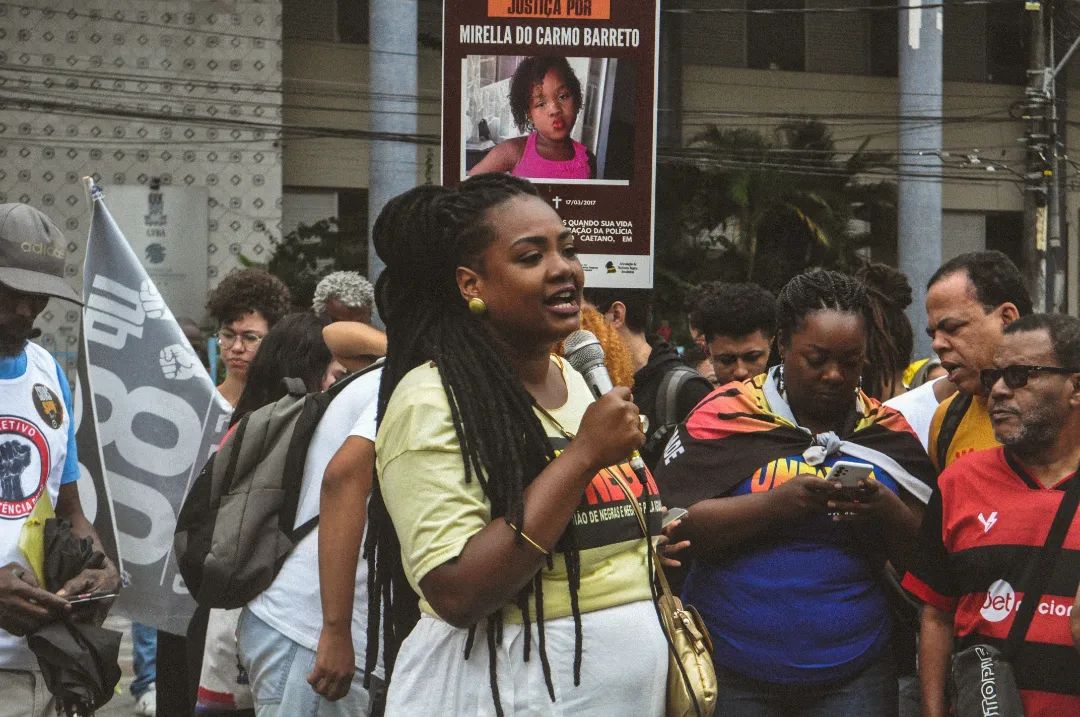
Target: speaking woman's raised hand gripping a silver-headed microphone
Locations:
point(612, 427)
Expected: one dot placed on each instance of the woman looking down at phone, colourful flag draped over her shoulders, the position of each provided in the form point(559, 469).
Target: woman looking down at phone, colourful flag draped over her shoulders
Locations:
point(788, 565)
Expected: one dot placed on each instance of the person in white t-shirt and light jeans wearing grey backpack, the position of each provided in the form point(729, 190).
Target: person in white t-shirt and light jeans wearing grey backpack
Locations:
point(303, 640)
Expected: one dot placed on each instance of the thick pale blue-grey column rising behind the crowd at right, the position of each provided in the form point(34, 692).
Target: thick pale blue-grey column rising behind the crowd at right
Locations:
point(920, 188)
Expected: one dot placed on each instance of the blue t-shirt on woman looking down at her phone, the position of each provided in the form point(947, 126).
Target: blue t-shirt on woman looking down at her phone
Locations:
point(802, 605)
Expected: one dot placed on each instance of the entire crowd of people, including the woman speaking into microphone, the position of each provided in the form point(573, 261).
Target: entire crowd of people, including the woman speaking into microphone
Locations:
point(477, 550)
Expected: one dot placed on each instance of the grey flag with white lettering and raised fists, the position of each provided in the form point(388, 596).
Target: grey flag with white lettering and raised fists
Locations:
point(158, 418)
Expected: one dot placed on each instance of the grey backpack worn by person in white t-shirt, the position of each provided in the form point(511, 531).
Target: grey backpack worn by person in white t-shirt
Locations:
point(236, 525)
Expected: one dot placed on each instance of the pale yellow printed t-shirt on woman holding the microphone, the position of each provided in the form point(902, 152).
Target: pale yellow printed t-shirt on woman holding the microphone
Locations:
point(436, 512)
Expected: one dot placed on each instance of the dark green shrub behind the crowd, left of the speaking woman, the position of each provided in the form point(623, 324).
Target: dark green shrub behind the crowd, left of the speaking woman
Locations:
point(310, 252)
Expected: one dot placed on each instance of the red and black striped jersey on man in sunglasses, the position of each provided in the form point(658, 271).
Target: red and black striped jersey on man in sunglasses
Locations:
point(983, 531)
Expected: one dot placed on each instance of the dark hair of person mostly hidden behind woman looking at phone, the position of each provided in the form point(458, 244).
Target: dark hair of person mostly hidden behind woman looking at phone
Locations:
point(890, 341)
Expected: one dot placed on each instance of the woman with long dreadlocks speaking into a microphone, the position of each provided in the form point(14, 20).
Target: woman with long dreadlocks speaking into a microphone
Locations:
point(497, 471)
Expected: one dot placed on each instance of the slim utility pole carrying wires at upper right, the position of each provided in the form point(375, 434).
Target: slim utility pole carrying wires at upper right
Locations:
point(1038, 171)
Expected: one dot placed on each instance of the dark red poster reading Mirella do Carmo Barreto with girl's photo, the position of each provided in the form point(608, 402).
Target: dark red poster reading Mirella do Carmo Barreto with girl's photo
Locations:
point(580, 123)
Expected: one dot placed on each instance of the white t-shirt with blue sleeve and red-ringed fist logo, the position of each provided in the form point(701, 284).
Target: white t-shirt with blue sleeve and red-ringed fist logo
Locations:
point(37, 455)
